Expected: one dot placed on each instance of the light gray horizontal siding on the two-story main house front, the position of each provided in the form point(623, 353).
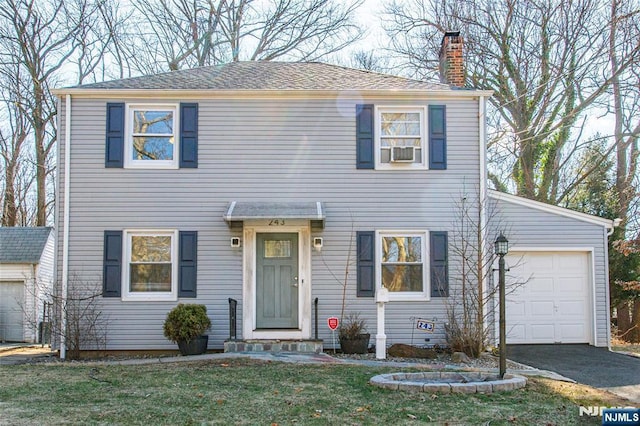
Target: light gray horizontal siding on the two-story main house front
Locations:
point(259, 150)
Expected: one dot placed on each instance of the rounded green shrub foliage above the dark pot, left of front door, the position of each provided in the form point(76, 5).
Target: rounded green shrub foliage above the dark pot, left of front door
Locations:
point(186, 322)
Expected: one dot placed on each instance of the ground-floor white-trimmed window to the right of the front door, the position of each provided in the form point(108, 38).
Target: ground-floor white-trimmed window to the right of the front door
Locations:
point(403, 264)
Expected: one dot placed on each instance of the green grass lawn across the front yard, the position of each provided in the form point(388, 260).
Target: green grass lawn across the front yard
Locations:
point(259, 393)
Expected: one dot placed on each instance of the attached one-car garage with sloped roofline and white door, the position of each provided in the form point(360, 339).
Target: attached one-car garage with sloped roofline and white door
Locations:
point(558, 274)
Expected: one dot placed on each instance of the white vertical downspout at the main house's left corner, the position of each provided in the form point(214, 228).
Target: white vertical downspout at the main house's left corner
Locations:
point(65, 226)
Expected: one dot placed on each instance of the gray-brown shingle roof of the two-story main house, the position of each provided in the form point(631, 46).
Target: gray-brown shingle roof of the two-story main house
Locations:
point(268, 76)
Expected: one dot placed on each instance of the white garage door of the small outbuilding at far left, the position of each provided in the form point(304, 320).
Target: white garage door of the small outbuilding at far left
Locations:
point(11, 315)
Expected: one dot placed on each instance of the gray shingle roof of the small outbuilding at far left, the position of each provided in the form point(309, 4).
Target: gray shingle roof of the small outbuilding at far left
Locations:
point(22, 244)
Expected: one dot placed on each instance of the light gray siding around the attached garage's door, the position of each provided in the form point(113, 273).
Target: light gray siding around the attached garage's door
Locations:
point(532, 228)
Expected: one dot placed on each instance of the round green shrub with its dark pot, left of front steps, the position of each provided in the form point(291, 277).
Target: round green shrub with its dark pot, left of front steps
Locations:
point(185, 325)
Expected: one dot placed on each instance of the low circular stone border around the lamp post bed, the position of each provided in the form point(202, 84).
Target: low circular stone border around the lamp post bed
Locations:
point(449, 382)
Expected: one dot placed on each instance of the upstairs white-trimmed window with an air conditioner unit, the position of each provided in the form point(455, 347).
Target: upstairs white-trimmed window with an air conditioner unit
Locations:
point(401, 140)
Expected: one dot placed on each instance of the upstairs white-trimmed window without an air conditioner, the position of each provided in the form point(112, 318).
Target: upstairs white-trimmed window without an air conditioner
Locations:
point(152, 138)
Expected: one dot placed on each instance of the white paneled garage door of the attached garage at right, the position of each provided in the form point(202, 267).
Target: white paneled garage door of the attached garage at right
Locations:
point(552, 304)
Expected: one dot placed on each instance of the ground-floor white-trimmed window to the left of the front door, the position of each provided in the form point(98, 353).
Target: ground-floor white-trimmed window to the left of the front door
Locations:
point(150, 265)
